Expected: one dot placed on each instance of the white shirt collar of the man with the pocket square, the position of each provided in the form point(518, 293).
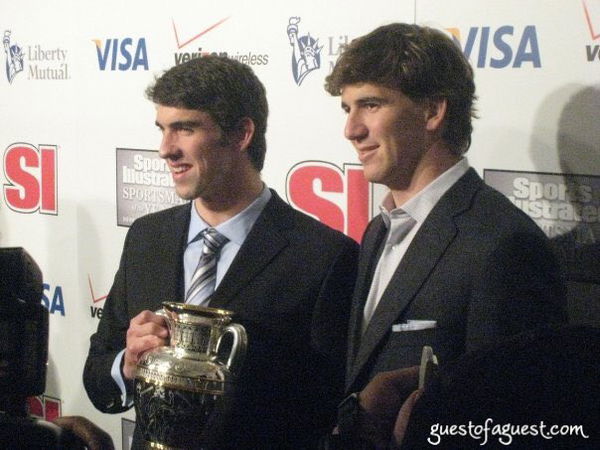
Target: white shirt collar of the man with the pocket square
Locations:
point(423, 203)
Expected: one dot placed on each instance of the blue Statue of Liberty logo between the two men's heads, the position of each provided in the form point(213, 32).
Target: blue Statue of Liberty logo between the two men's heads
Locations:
point(306, 52)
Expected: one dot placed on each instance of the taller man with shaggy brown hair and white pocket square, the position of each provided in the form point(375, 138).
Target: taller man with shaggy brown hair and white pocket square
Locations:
point(449, 263)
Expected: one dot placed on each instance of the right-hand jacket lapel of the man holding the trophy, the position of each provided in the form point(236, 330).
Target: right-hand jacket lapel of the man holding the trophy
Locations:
point(262, 244)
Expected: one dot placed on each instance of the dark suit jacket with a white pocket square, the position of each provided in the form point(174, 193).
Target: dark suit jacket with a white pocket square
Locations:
point(478, 266)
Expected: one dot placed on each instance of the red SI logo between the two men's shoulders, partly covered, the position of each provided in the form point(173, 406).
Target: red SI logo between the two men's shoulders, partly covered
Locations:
point(337, 197)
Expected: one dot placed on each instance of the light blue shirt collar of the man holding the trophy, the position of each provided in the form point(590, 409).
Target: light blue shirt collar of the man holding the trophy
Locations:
point(235, 228)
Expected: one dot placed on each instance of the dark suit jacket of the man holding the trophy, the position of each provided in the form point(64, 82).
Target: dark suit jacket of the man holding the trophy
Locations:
point(290, 286)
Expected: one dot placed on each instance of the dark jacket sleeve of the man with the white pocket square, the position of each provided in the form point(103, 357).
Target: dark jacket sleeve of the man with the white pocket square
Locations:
point(519, 287)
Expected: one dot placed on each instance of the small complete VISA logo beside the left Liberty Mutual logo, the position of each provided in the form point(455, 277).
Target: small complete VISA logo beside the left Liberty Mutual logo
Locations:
point(121, 54)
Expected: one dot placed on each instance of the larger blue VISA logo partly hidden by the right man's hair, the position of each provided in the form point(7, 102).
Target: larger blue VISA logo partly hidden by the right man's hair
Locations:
point(498, 48)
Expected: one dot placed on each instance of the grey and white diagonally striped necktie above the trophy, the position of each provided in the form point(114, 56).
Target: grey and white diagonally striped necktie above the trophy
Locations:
point(202, 284)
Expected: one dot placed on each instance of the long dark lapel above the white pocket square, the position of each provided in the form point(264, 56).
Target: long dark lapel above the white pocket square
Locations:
point(424, 252)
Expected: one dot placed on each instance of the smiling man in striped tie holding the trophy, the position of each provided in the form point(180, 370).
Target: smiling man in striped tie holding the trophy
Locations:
point(287, 277)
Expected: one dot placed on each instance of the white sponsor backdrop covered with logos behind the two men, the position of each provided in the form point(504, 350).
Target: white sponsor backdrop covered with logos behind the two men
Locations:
point(79, 145)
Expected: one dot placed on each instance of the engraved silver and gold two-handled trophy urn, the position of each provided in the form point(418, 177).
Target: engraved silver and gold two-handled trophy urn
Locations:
point(183, 390)
